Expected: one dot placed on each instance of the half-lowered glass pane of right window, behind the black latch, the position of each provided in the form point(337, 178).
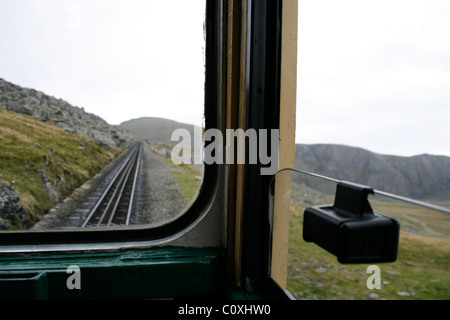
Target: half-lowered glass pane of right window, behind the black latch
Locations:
point(419, 272)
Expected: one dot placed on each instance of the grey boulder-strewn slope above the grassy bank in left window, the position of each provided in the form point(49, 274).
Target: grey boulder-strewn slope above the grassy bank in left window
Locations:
point(60, 113)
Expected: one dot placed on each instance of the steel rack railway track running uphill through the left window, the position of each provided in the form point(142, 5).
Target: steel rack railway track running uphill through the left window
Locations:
point(115, 204)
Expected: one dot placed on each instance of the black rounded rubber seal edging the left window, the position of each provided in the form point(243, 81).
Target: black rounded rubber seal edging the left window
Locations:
point(18, 241)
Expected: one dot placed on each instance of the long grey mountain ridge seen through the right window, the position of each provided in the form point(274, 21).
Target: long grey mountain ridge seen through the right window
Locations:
point(423, 176)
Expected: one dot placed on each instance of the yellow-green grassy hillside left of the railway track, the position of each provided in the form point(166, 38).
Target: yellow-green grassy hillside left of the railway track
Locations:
point(43, 162)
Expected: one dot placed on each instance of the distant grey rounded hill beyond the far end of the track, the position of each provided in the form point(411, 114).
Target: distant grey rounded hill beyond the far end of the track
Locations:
point(155, 129)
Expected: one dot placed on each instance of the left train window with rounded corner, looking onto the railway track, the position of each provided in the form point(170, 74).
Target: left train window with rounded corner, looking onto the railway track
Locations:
point(91, 98)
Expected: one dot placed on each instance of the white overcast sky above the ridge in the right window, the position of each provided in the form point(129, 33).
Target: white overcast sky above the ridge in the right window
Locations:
point(375, 74)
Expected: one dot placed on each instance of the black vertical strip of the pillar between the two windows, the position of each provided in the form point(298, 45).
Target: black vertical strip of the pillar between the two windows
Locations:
point(263, 92)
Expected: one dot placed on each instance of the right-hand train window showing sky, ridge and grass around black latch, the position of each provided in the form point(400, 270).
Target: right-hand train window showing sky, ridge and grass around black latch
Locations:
point(372, 109)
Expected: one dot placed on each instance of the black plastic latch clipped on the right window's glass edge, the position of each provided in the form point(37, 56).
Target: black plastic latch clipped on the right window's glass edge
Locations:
point(350, 229)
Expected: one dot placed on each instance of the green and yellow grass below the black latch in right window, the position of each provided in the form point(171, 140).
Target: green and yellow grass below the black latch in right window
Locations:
point(422, 270)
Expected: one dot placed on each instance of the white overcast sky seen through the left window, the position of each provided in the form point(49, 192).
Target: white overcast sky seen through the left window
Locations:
point(119, 59)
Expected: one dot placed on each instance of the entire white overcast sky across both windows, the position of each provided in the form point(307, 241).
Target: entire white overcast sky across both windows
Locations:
point(372, 74)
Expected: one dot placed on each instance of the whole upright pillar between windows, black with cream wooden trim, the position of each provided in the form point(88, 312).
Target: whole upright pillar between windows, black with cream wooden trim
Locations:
point(262, 40)
